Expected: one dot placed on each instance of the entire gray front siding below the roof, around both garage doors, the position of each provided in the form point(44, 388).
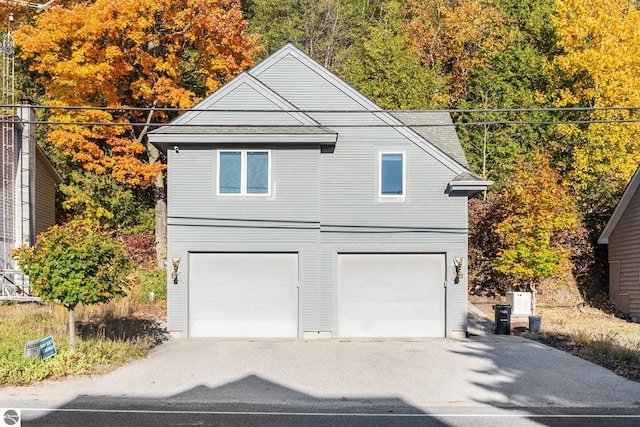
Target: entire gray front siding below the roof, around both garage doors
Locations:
point(313, 191)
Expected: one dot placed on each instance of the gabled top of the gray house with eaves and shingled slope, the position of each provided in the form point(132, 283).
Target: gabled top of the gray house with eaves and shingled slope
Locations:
point(282, 112)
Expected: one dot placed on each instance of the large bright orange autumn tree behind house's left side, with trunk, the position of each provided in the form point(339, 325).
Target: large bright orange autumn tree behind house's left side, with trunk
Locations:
point(140, 54)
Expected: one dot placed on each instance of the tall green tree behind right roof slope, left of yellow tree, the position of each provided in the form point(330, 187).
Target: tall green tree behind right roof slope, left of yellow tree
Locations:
point(515, 78)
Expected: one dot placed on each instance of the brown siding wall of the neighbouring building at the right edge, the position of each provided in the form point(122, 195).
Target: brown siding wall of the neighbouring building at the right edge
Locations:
point(624, 247)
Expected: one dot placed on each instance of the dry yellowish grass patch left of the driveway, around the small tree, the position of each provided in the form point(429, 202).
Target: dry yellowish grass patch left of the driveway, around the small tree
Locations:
point(108, 336)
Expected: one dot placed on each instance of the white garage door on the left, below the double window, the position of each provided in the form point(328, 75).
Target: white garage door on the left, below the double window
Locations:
point(243, 295)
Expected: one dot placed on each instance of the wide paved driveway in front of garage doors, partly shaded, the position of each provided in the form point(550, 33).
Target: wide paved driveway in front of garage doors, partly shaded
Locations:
point(481, 373)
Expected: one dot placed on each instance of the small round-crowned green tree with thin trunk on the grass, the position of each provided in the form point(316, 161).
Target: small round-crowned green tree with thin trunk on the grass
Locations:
point(77, 263)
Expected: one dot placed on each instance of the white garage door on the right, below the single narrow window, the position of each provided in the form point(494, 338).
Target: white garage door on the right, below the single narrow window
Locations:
point(391, 295)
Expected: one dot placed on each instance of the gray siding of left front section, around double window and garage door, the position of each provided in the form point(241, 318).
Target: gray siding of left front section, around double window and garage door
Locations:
point(286, 221)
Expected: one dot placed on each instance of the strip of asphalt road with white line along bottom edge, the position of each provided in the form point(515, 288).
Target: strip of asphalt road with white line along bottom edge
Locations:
point(238, 416)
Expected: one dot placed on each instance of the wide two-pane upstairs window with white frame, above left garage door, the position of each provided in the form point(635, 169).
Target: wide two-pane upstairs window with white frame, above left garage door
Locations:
point(243, 172)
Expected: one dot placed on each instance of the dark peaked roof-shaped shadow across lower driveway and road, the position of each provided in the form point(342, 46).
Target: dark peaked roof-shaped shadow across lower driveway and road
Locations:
point(270, 404)
